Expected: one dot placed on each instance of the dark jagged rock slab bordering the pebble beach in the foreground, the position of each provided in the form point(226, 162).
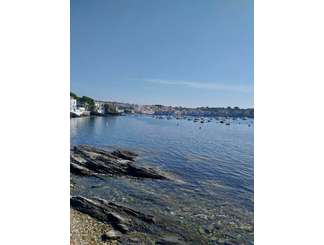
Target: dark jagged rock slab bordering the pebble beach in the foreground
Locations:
point(120, 217)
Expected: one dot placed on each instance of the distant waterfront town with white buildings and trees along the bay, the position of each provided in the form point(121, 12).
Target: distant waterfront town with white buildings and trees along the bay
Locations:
point(86, 106)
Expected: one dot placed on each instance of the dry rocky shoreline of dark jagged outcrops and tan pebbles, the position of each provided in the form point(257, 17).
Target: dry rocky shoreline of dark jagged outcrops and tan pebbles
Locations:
point(108, 222)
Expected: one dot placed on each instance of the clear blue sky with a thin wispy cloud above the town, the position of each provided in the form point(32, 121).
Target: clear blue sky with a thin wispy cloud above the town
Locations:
point(171, 52)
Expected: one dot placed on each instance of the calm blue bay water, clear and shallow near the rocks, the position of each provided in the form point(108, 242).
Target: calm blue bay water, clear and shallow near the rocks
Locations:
point(211, 162)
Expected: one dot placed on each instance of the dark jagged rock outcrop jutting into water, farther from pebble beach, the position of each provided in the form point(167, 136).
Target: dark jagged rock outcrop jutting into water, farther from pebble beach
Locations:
point(91, 161)
